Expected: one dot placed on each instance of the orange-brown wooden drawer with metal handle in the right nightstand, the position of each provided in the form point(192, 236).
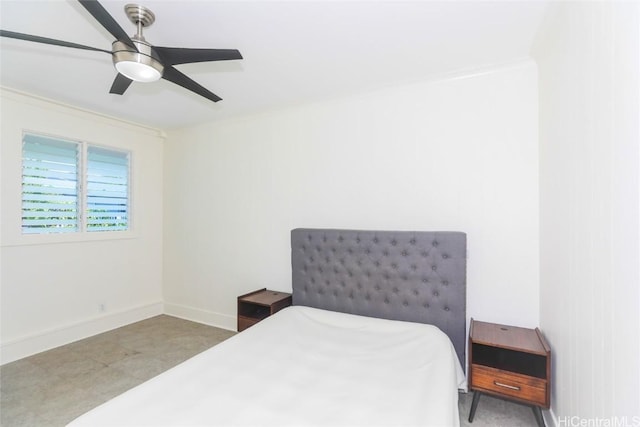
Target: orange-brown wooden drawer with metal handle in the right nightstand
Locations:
point(521, 387)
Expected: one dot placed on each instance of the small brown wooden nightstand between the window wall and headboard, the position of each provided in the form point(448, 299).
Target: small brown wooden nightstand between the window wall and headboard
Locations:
point(258, 305)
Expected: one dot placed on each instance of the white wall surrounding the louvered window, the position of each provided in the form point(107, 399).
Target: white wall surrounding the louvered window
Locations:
point(51, 286)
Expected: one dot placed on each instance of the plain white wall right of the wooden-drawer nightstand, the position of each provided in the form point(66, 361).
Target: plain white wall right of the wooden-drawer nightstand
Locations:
point(588, 58)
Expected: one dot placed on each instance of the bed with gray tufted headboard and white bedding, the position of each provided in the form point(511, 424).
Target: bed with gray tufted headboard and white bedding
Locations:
point(375, 336)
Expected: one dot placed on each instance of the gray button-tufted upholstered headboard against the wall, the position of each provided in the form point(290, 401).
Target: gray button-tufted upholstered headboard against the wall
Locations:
point(415, 276)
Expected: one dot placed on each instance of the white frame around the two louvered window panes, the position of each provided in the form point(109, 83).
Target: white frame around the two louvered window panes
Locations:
point(83, 233)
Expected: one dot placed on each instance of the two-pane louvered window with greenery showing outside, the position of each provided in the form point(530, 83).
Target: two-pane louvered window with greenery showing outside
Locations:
point(63, 179)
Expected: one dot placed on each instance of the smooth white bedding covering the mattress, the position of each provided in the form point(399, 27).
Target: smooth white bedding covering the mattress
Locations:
point(303, 367)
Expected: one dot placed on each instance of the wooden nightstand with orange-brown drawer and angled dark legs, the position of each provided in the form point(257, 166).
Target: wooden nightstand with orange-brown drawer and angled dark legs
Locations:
point(509, 362)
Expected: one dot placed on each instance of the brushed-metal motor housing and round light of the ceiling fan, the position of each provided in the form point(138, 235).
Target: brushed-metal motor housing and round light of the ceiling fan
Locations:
point(138, 66)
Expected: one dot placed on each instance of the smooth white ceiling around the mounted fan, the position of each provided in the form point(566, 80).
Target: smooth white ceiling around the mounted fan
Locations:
point(294, 51)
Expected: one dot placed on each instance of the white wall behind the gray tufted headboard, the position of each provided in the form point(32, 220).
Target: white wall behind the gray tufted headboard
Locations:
point(455, 154)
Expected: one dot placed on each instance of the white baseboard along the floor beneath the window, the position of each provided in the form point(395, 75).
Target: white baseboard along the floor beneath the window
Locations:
point(46, 340)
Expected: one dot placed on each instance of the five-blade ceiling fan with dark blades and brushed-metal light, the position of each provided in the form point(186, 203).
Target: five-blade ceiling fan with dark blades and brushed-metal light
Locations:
point(134, 58)
